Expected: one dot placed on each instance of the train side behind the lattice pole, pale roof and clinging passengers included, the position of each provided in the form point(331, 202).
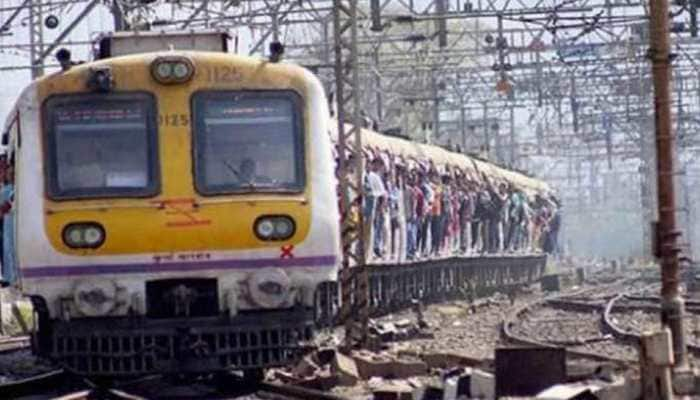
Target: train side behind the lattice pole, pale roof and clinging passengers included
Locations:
point(474, 195)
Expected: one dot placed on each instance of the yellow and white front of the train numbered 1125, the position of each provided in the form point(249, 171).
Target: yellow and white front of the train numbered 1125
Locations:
point(173, 210)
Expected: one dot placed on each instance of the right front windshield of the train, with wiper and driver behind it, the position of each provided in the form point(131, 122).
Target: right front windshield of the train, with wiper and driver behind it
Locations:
point(248, 141)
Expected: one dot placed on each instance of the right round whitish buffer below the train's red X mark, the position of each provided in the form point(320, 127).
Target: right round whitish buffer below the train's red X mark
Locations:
point(269, 288)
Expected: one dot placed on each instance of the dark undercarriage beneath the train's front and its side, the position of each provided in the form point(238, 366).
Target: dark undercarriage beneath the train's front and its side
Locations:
point(253, 341)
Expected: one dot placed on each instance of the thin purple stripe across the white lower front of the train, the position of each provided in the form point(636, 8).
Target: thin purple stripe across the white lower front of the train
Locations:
point(48, 271)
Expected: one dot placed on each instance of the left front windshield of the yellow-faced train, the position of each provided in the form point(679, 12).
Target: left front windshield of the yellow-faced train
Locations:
point(101, 146)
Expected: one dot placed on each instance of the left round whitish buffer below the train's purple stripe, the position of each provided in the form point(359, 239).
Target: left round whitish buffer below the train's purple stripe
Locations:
point(94, 298)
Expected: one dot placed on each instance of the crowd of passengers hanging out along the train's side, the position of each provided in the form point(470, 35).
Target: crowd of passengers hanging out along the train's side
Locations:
point(414, 211)
